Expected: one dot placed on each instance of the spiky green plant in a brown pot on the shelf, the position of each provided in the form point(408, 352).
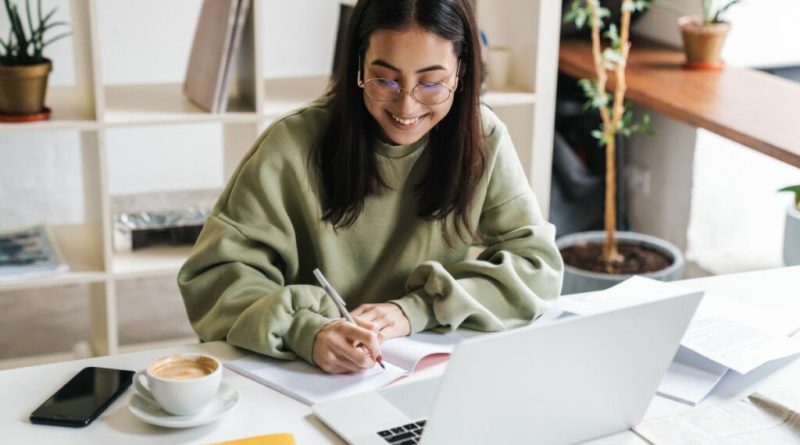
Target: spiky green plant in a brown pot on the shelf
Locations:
point(23, 68)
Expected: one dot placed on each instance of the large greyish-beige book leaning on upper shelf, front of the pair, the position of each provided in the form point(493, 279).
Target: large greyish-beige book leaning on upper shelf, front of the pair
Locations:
point(210, 53)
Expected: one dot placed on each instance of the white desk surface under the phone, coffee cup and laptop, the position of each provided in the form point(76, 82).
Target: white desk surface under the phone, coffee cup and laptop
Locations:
point(264, 411)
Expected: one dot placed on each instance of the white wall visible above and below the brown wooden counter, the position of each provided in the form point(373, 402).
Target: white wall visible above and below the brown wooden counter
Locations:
point(726, 192)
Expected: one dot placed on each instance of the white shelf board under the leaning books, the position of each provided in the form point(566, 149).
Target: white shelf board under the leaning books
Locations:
point(163, 104)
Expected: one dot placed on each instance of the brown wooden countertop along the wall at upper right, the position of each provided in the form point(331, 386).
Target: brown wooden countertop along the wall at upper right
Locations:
point(753, 108)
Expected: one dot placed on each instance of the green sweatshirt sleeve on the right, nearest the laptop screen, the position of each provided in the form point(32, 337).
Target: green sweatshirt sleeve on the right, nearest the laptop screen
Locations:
point(515, 277)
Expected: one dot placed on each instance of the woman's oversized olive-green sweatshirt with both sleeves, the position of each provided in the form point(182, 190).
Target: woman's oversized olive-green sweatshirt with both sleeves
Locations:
point(249, 277)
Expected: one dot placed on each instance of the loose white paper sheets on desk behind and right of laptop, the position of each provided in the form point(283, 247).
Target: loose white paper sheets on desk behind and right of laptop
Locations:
point(723, 335)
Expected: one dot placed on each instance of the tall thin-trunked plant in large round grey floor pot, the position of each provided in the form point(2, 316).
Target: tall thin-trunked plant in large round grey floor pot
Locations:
point(599, 259)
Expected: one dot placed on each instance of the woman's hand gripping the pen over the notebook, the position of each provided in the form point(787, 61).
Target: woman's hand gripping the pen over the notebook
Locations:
point(342, 347)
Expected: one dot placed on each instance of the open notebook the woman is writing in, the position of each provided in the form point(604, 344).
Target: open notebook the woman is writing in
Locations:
point(310, 385)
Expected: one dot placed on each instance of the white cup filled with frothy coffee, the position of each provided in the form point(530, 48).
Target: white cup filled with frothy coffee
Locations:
point(182, 384)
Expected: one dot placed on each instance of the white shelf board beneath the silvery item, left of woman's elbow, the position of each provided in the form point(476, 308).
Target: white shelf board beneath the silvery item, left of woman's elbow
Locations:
point(150, 262)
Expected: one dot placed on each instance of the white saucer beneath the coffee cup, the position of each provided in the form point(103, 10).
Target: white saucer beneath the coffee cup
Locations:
point(227, 397)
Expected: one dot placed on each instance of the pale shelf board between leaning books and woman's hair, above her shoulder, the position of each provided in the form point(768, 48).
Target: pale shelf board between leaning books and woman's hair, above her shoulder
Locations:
point(283, 95)
